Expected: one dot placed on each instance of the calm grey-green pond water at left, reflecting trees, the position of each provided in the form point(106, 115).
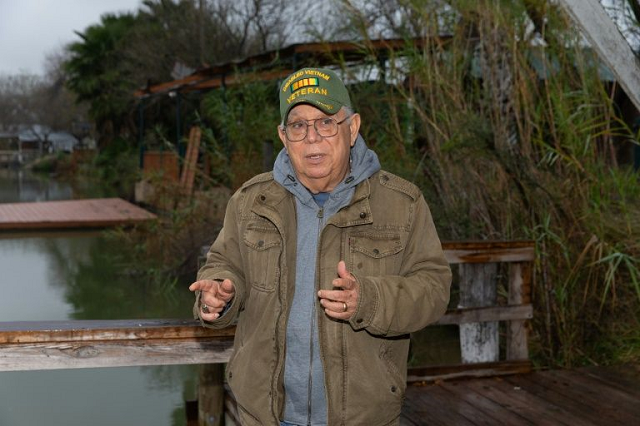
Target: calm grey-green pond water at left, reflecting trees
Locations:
point(66, 275)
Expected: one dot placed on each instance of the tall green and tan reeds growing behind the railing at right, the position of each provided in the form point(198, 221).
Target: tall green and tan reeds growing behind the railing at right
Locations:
point(513, 134)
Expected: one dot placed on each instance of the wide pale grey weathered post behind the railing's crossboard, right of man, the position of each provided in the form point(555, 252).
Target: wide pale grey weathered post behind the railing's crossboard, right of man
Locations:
point(478, 341)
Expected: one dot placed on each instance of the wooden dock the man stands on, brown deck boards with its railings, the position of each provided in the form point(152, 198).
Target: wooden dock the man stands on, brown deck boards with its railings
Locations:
point(502, 392)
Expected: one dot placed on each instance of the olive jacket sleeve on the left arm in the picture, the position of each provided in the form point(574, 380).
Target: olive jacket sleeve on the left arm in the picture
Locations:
point(224, 261)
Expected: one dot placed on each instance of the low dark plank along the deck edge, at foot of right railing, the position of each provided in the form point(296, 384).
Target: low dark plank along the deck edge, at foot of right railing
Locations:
point(458, 371)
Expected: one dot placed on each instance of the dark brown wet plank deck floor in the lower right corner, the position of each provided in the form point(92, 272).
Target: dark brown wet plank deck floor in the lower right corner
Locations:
point(586, 396)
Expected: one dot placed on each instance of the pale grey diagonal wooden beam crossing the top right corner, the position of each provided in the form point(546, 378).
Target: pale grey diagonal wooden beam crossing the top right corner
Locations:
point(607, 40)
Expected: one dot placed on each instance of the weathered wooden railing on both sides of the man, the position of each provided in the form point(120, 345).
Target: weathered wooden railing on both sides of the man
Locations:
point(87, 344)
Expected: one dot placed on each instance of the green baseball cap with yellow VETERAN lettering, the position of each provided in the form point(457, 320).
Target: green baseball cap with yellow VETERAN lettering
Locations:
point(319, 87)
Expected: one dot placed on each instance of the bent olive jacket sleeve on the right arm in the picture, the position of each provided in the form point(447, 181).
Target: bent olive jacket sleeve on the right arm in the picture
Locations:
point(393, 305)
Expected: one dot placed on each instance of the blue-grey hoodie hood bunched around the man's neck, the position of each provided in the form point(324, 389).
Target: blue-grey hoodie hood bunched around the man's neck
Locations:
point(364, 163)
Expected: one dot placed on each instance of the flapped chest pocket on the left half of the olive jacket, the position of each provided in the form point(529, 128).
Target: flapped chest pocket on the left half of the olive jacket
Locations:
point(264, 247)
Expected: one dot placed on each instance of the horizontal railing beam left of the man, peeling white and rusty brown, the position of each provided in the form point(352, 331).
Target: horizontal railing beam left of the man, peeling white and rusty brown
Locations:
point(89, 344)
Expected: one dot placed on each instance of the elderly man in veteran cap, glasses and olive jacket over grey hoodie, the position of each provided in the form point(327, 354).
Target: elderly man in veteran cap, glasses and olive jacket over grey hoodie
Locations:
point(327, 264)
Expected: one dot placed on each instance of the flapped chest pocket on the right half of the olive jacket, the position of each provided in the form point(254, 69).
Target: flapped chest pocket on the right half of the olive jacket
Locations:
point(375, 253)
